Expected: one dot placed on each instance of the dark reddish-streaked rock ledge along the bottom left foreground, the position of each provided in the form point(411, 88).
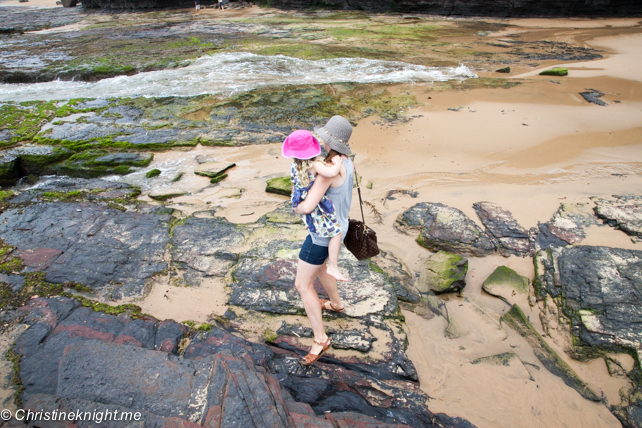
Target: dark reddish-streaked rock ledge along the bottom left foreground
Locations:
point(219, 379)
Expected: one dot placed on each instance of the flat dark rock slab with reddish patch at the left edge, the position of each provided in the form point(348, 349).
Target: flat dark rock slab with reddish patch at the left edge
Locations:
point(113, 252)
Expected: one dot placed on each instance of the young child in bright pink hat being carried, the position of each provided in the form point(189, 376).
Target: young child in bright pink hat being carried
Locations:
point(304, 148)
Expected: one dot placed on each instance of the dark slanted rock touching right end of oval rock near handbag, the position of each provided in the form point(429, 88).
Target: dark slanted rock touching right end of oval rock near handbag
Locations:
point(510, 237)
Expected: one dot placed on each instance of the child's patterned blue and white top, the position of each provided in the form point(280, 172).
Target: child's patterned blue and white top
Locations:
point(323, 219)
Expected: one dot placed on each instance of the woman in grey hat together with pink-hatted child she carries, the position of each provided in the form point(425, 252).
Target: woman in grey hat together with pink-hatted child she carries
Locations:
point(314, 252)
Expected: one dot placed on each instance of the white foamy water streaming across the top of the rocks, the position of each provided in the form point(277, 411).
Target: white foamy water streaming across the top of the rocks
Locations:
point(234, 72)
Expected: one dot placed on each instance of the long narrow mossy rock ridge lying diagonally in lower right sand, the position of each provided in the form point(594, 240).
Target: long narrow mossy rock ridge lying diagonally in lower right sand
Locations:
point(516, 319)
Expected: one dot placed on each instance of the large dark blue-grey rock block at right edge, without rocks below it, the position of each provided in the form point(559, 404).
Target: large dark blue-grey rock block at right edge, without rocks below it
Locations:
point(602, 290)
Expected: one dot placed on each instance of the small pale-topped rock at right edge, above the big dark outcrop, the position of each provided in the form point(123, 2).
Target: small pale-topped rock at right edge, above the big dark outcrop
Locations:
point(623, 213)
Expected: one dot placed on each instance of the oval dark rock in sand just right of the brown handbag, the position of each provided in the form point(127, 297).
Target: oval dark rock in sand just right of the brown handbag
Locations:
point(445, 228)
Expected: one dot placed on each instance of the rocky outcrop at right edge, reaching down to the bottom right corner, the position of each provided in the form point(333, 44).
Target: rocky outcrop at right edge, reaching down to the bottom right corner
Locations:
point(598, 290)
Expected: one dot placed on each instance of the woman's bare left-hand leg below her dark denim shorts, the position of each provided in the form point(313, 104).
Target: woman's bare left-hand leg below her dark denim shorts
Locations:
point(304, 283)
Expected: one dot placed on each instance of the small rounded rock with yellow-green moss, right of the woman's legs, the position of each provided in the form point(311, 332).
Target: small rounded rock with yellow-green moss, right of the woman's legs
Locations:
point(443, 273)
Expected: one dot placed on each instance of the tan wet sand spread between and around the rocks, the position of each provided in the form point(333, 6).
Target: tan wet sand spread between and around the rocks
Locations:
point(528, 149)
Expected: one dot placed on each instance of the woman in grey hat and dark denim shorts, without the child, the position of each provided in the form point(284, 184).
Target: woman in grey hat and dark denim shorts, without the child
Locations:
point(314, 252)
